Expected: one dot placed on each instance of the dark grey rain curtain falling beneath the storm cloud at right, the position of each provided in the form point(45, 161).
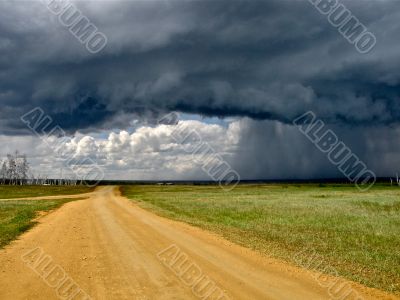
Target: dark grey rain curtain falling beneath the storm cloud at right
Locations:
point(272, 150)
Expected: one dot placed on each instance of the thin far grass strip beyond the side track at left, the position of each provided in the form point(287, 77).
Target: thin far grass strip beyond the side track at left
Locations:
point(9, 192)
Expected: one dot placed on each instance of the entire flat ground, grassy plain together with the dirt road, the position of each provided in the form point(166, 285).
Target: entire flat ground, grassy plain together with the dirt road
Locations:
point(254, 242)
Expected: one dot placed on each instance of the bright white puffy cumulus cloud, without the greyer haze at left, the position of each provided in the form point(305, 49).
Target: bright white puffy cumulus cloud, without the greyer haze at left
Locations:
point(153, 153)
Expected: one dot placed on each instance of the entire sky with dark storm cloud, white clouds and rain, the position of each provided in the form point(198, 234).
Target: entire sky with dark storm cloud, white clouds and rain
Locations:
point(238, 72)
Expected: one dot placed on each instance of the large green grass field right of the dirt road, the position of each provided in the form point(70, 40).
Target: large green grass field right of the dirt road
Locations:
point(356, 233)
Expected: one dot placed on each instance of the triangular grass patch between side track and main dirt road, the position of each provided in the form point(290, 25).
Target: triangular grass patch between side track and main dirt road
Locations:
point(17, 216)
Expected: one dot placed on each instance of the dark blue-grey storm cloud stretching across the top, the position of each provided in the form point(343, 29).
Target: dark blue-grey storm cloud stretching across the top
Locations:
point(261, 59)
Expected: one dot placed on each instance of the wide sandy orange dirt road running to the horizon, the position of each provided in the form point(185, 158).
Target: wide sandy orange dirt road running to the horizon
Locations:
point(106, 247)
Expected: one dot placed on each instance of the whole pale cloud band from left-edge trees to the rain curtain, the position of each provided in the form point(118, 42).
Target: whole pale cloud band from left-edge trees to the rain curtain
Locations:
point(145, 154)
